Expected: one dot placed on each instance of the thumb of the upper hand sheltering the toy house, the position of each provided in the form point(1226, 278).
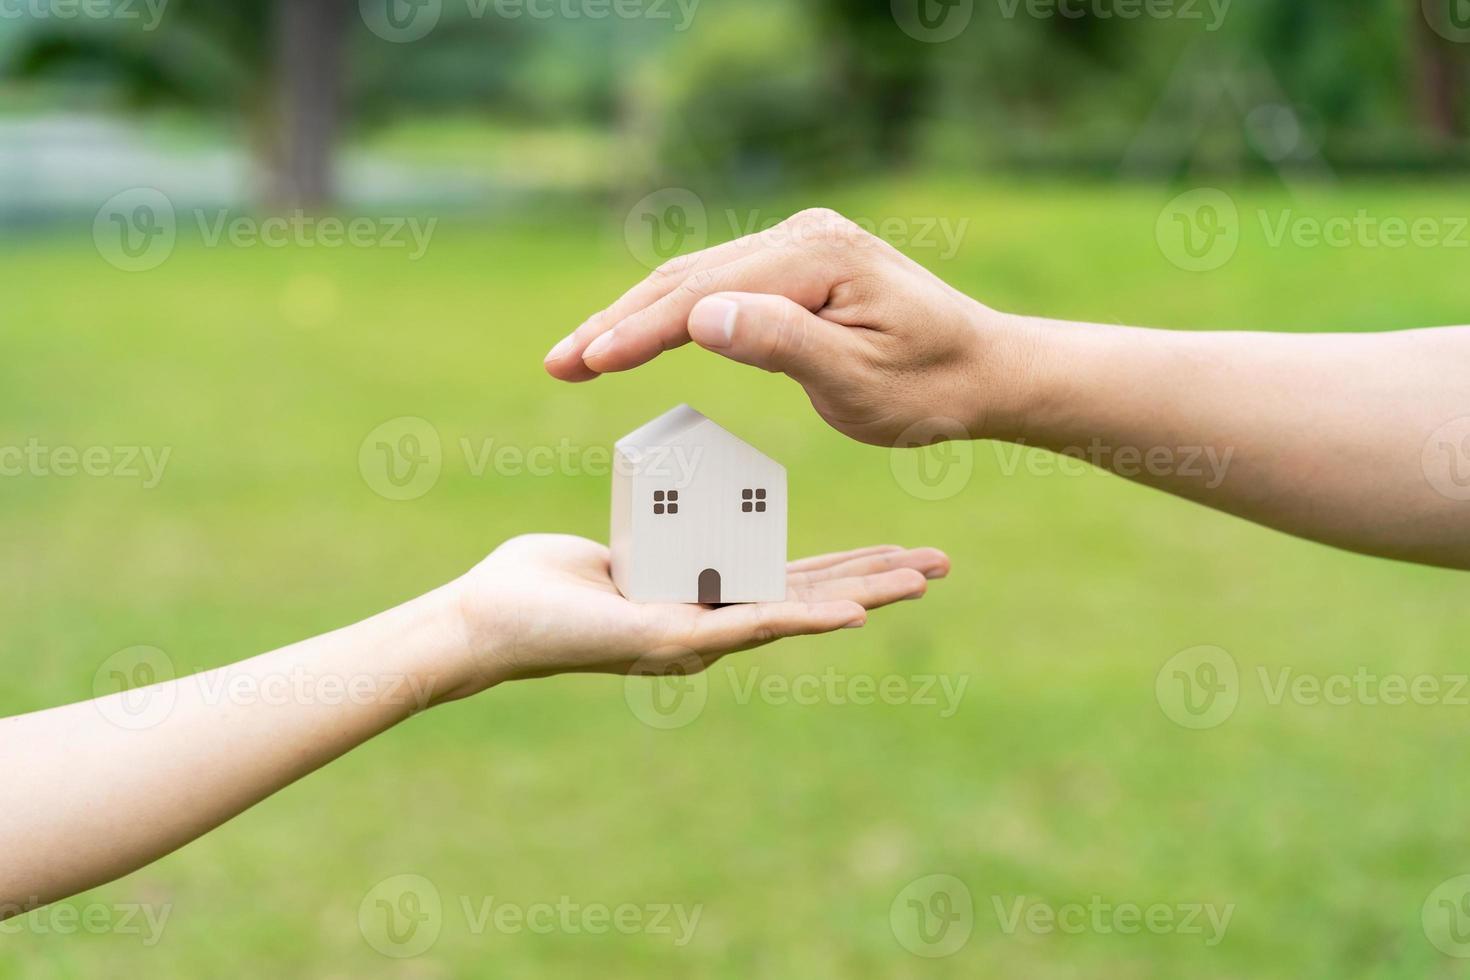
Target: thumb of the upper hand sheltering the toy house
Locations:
point(767, 331)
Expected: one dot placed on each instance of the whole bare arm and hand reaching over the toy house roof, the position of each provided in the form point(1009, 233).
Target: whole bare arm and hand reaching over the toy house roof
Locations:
point(1359, 442)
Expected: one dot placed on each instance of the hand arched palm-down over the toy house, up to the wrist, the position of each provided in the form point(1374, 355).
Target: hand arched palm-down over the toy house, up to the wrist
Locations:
point(887, 352)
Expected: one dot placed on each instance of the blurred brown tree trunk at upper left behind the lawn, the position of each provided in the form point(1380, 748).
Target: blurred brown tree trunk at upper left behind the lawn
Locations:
point(311, 46)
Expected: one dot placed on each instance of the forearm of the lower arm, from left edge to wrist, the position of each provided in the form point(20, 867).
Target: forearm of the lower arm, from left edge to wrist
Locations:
point(95, 791)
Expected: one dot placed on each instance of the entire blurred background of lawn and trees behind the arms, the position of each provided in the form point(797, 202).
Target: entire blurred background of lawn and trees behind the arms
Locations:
point(514, 167)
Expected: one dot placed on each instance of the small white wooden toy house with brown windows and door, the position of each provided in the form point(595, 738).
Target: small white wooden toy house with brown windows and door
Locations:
point(699, 516)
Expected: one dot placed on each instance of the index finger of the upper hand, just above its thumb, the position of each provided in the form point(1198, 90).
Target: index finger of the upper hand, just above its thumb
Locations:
point(800, 277)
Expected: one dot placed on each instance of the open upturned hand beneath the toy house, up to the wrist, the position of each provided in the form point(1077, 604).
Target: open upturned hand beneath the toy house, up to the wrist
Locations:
point(546, 605)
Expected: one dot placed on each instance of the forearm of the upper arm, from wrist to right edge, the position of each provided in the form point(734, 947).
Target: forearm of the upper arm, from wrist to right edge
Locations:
point(1318, 436)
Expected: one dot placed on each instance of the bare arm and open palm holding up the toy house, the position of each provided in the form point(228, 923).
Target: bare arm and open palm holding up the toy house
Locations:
point(92, 799)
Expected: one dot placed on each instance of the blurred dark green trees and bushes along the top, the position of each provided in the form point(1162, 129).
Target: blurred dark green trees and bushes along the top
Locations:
point(767, 92)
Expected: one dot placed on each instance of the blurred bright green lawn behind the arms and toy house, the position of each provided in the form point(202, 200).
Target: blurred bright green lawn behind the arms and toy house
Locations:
point(795, 826)
